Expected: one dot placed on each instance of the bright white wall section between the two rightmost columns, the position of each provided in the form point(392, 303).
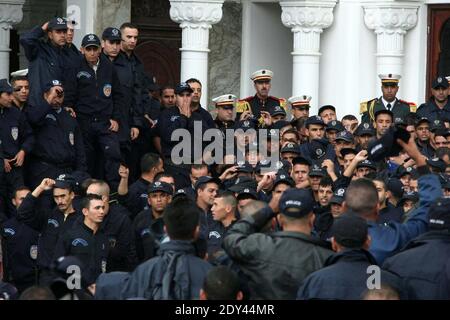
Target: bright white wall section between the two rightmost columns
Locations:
point(348, 62)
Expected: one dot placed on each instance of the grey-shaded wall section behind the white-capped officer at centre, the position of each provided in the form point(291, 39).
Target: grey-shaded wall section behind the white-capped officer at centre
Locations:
point(266, 43)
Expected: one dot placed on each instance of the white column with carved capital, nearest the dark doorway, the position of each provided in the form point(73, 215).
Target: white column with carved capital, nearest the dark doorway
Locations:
point(196, 18)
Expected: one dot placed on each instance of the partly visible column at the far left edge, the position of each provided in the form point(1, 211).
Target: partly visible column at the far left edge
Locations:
point(10, 14)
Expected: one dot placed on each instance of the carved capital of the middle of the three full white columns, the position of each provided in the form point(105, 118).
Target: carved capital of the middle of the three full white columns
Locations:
point(307, 15)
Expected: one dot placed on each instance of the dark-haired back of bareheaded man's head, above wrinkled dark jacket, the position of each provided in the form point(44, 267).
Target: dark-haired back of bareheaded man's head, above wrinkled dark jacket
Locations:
point(181, 219)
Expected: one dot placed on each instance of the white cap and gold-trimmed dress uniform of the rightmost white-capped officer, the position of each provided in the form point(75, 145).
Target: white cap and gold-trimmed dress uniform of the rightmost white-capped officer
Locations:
point(400, 108)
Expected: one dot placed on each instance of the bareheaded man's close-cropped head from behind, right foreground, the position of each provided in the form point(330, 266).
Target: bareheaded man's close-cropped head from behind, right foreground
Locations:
point(361, 198)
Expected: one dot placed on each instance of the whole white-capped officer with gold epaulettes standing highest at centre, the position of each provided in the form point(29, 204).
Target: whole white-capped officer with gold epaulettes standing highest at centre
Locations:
point(261, 101)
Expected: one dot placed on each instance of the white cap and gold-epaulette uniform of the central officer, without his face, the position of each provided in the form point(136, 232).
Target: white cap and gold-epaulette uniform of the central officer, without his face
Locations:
point(256, 105)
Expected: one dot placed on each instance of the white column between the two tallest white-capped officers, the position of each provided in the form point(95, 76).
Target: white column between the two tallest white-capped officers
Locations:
point(307, 19)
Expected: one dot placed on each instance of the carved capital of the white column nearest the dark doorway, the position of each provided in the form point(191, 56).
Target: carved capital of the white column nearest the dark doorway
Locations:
point(197, 12)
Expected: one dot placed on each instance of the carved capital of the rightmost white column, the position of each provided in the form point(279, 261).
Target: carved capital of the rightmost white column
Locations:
point(390, 16)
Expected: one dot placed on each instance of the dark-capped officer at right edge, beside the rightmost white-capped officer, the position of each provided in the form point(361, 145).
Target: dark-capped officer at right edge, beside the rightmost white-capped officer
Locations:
point(438, 107)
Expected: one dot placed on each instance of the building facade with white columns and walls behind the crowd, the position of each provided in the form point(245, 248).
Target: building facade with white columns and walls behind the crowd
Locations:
point(331, 50)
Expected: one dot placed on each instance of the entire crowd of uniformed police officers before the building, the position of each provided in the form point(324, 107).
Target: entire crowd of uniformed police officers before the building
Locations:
point(89, 177)
